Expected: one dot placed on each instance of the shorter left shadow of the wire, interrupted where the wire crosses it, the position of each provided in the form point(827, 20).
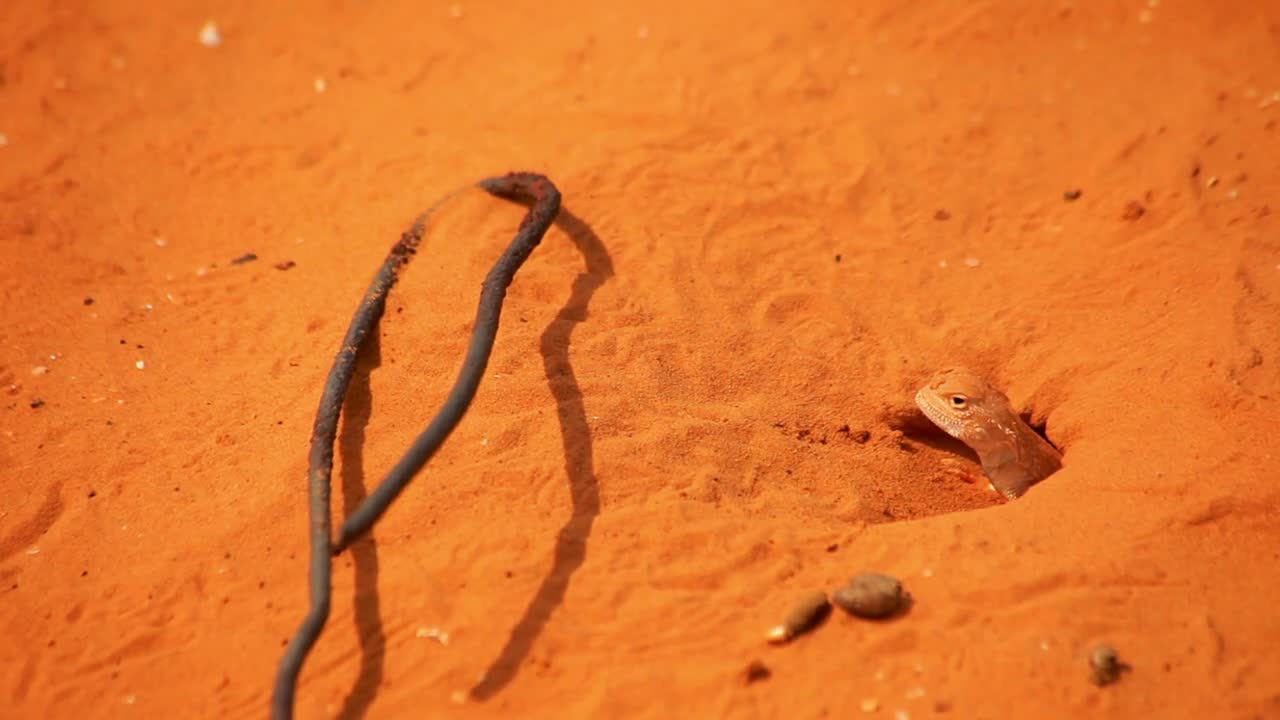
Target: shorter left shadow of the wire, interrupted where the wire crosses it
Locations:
point(364, 554)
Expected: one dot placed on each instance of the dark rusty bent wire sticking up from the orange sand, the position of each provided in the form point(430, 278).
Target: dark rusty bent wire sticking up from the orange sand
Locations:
point(525, 188)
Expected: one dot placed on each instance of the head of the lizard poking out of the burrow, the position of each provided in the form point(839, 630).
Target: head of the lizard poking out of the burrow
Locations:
point(964, 407)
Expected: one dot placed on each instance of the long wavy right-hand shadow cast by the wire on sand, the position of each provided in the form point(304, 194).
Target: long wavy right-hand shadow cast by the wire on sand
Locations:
point(579, 466)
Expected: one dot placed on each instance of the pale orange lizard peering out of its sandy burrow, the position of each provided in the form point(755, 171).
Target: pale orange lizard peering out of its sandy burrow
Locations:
point(967, 408)
